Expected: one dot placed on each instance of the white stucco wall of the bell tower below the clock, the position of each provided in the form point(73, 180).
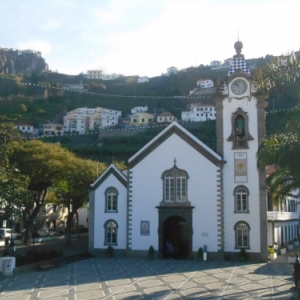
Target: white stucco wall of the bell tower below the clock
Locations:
point(253, 217)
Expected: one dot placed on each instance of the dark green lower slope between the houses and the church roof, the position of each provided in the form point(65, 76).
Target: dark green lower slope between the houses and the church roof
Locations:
point(122, 148)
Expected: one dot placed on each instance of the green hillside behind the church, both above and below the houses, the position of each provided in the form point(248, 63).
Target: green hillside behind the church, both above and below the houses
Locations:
point(37, 99)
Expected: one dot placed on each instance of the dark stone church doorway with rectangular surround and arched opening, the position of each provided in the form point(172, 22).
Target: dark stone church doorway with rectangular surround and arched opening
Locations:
point(175, 226)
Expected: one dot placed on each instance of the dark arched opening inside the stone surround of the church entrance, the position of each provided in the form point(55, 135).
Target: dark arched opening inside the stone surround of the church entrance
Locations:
point(175, 231)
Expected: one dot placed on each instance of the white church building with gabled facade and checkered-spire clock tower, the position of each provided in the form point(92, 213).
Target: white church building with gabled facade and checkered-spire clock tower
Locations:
point(177, 189)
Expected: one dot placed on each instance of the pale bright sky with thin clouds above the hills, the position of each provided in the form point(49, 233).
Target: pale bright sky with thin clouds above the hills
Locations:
point(145, 37)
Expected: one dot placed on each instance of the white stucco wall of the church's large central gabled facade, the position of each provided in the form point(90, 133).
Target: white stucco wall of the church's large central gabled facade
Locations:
point(147, 193)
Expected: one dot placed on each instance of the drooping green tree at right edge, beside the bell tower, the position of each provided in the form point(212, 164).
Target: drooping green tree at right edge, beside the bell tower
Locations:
point(284, 151)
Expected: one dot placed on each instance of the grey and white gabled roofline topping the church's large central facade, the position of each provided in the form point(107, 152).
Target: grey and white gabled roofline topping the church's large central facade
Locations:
point(175, 128)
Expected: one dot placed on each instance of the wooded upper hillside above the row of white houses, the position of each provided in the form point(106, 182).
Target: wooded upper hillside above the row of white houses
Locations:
point(41, 100)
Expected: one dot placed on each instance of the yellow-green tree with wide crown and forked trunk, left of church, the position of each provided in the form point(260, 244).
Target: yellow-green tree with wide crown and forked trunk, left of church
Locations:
point(44, 165)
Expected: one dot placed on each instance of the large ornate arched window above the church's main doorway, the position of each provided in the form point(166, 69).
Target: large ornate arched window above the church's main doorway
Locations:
point(175, 185)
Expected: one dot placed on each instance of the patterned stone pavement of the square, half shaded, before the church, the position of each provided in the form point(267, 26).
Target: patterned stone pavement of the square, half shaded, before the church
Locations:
point(126, 278)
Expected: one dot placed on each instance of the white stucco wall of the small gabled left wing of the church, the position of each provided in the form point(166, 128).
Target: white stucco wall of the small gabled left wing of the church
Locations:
point(101, 216)
